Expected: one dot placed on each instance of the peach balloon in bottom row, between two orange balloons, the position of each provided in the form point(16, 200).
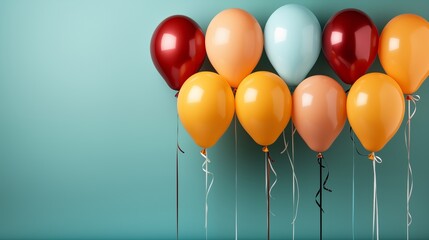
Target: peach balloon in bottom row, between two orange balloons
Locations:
point(319, 111)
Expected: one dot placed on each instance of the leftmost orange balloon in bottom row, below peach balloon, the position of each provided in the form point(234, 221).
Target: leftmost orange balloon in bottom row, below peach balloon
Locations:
point(206, 107)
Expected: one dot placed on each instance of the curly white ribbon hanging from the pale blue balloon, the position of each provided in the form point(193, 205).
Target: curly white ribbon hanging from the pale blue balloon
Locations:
point(295, 197)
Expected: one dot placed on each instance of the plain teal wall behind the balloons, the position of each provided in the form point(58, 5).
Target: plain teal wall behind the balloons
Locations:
point(88, 136)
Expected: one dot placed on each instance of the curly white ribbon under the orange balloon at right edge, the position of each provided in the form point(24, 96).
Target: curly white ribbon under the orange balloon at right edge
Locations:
point(410, 182)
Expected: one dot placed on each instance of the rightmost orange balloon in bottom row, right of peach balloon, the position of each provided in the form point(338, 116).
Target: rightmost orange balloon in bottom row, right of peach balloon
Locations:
point(375, 109)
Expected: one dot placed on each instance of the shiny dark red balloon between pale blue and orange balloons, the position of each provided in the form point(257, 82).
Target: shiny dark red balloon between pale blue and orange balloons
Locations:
point(350, 44)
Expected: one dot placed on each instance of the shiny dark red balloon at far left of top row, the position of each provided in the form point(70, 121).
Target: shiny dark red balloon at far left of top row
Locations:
point(177, 49)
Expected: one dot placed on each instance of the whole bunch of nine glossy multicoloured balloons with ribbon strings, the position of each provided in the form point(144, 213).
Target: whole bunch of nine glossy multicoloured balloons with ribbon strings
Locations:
point(292, 39)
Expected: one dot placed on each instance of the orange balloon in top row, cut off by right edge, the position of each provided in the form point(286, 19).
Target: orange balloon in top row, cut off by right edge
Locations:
point(404, 51)
